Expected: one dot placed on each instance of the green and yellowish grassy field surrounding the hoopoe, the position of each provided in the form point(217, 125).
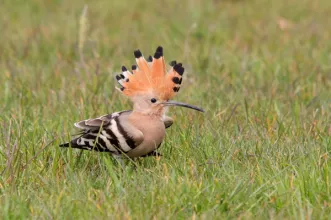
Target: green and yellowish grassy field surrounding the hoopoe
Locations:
point(261, 69)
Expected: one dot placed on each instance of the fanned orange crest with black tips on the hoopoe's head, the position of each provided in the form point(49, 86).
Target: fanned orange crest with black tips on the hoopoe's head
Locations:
point(151, 76)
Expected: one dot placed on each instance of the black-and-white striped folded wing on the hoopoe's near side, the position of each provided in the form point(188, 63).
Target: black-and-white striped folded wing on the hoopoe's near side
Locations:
point(108, 133)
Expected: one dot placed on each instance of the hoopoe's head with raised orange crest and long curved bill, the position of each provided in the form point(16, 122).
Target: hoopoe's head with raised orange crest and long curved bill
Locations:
point(150, 86)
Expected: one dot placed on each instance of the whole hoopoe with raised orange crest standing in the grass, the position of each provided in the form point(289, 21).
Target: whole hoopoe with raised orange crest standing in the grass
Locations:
point(139, 132)
